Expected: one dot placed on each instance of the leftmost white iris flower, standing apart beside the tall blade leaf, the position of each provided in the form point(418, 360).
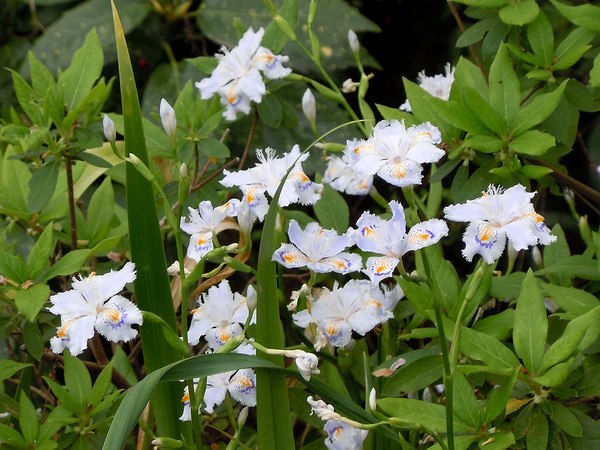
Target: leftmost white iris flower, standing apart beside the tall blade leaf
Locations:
point(93, 304)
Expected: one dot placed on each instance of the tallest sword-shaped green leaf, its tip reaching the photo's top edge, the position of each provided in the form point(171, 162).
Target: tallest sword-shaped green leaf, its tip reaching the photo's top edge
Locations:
point(152, 287)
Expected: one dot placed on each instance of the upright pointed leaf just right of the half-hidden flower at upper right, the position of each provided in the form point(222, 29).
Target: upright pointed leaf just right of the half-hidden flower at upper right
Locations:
point(505, 89)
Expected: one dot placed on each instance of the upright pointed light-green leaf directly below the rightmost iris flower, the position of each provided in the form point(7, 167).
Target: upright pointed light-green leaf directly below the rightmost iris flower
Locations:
point(531, 324)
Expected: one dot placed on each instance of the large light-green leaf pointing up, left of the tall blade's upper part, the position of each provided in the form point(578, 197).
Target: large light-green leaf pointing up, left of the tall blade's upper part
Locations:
point(85, 68)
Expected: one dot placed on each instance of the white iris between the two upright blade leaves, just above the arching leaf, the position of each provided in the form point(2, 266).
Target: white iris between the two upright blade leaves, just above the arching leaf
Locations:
point(219, 316)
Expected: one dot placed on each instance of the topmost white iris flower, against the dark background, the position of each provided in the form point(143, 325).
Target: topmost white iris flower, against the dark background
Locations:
point(238, 77)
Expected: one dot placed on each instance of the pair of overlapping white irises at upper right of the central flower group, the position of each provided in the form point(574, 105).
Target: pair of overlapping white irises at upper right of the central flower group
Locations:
point(393, 152)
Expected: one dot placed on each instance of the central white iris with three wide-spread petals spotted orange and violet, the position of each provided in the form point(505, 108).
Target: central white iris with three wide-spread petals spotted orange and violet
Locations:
point(390, 239)
